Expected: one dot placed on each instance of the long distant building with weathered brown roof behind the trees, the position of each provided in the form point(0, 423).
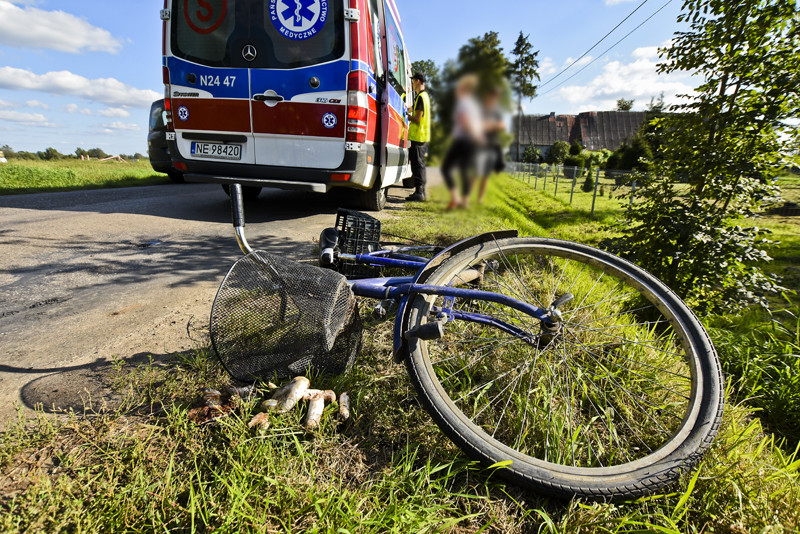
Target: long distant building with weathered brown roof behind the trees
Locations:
point(594, 130)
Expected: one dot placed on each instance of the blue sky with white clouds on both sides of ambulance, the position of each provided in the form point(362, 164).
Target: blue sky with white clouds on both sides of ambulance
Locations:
point(82, 73)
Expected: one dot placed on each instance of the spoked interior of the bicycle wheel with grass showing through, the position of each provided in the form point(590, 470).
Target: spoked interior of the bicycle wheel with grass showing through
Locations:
point(607, 383)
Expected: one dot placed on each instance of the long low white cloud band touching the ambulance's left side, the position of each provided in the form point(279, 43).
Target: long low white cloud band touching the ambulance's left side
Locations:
point(109, 91)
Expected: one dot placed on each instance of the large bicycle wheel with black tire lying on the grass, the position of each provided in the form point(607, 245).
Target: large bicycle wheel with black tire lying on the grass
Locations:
point(618, 402)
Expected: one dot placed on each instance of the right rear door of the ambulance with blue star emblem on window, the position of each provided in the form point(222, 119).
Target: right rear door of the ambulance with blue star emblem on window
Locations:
point(298, 82)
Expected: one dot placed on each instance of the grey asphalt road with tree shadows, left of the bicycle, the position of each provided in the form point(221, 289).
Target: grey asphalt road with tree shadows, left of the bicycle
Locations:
point(89, 276)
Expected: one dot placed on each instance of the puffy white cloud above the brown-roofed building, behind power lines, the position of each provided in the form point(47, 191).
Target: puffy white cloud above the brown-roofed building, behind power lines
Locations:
point(637, 80)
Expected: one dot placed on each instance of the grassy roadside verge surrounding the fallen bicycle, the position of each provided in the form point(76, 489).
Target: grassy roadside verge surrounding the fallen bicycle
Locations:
point(147, 467)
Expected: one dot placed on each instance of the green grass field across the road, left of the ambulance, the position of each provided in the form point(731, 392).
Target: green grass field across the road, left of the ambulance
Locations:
point(19, 177)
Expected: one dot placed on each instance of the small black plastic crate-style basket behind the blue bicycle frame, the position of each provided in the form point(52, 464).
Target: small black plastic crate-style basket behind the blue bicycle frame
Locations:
point(359, 233)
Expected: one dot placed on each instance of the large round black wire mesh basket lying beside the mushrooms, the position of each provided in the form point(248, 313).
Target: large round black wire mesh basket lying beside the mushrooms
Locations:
point(273, 317)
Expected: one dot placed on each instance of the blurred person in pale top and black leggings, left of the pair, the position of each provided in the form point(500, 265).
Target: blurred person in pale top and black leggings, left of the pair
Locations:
point(468, 136)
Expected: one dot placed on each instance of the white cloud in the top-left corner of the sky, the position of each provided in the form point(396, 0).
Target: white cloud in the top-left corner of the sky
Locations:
point(30, 27)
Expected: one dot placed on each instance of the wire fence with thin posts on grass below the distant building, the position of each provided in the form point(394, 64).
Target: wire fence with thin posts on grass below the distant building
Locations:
point(576, 184)
